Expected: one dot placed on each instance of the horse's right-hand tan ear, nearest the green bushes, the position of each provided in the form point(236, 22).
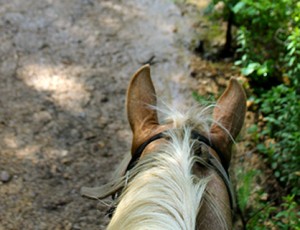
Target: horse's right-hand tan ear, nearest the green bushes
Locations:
point(229, 115)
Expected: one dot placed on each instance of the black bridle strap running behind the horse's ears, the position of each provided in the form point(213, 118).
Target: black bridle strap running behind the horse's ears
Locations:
point(211, 161)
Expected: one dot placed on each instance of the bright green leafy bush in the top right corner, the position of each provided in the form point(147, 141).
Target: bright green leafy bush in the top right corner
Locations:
point(267, 37)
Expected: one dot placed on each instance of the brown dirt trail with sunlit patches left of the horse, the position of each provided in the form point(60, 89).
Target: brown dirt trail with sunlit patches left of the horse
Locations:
point(64, 69)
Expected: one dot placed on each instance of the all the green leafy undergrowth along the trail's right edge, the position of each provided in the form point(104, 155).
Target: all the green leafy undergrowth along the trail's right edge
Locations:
point(268, 53)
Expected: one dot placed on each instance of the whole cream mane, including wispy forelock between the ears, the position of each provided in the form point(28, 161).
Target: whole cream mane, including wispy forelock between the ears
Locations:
point(161, 192)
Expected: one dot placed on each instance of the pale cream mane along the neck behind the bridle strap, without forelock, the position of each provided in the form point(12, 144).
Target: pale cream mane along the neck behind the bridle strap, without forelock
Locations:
point(163, 194)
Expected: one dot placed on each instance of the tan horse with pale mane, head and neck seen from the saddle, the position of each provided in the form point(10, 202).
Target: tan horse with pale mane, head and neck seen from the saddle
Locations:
point(177, 174)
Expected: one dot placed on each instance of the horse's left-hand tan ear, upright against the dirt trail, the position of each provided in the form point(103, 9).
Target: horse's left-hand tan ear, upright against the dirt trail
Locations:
point(140, 96)
